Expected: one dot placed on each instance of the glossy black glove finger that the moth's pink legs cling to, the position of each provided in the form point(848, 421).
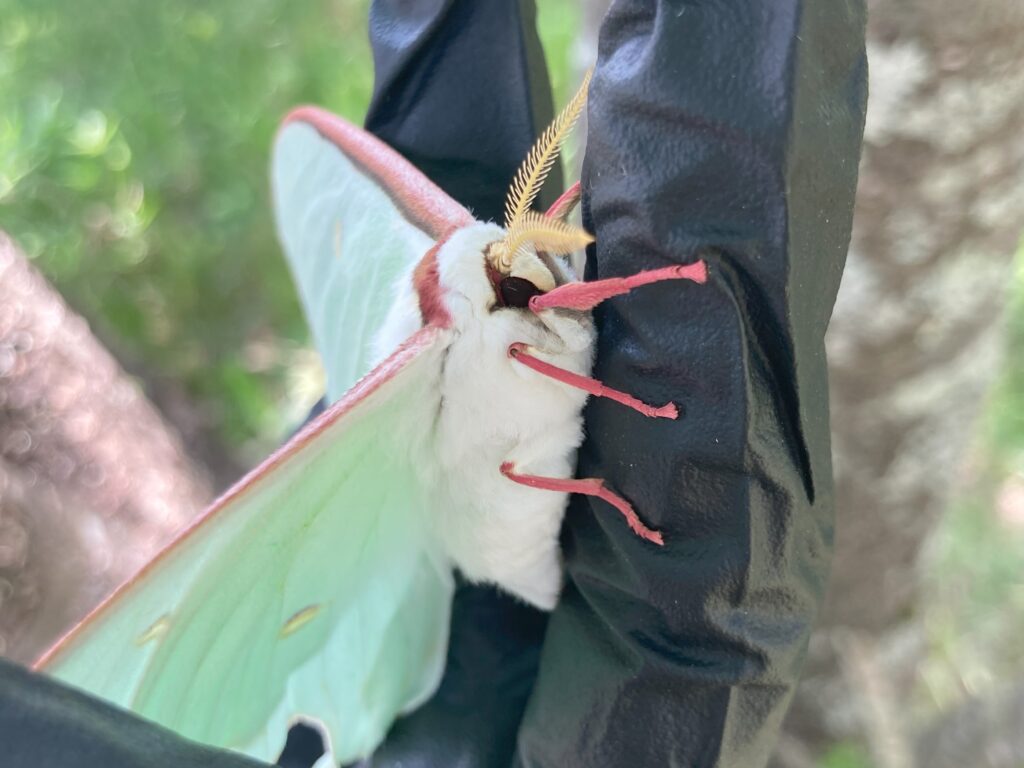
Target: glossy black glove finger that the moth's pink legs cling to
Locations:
point(727, 131)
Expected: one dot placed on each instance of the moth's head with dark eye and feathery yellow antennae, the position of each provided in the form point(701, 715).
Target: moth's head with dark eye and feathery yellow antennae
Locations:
point(523, 264)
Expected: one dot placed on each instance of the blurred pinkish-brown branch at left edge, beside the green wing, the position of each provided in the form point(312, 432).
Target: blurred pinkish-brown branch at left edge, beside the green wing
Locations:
point(93, 481)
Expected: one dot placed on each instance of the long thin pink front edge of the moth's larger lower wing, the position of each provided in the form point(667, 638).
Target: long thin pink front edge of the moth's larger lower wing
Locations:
point(411, 350)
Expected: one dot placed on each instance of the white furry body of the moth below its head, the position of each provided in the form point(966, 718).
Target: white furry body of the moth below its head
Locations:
point(495, 410)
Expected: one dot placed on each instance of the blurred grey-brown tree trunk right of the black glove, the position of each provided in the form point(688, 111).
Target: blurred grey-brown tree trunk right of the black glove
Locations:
point(917, 334)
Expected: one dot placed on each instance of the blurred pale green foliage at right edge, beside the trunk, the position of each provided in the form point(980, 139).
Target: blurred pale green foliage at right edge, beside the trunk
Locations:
point(974, 573)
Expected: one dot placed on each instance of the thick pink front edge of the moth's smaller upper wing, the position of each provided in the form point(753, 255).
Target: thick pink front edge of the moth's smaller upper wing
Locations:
point(422, 202)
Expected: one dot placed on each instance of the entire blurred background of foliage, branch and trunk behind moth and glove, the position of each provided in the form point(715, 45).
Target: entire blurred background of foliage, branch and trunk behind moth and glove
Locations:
point(135, 143)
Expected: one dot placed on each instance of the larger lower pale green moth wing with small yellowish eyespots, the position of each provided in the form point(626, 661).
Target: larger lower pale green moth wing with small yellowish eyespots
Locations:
point(312, 591)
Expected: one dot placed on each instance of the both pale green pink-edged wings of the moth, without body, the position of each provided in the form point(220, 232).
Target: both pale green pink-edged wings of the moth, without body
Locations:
point(315, 590)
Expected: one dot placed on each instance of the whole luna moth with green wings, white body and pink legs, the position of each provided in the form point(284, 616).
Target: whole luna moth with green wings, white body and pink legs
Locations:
point(458, 358)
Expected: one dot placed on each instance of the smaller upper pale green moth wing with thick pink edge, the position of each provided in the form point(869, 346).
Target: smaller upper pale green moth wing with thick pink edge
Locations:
point(354, 217)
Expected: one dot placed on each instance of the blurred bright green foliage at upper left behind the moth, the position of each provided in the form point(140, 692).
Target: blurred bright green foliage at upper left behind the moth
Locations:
point(135, 141)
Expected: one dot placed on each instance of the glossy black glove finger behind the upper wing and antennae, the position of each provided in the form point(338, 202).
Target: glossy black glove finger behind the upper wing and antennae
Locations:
point(461, 90)
